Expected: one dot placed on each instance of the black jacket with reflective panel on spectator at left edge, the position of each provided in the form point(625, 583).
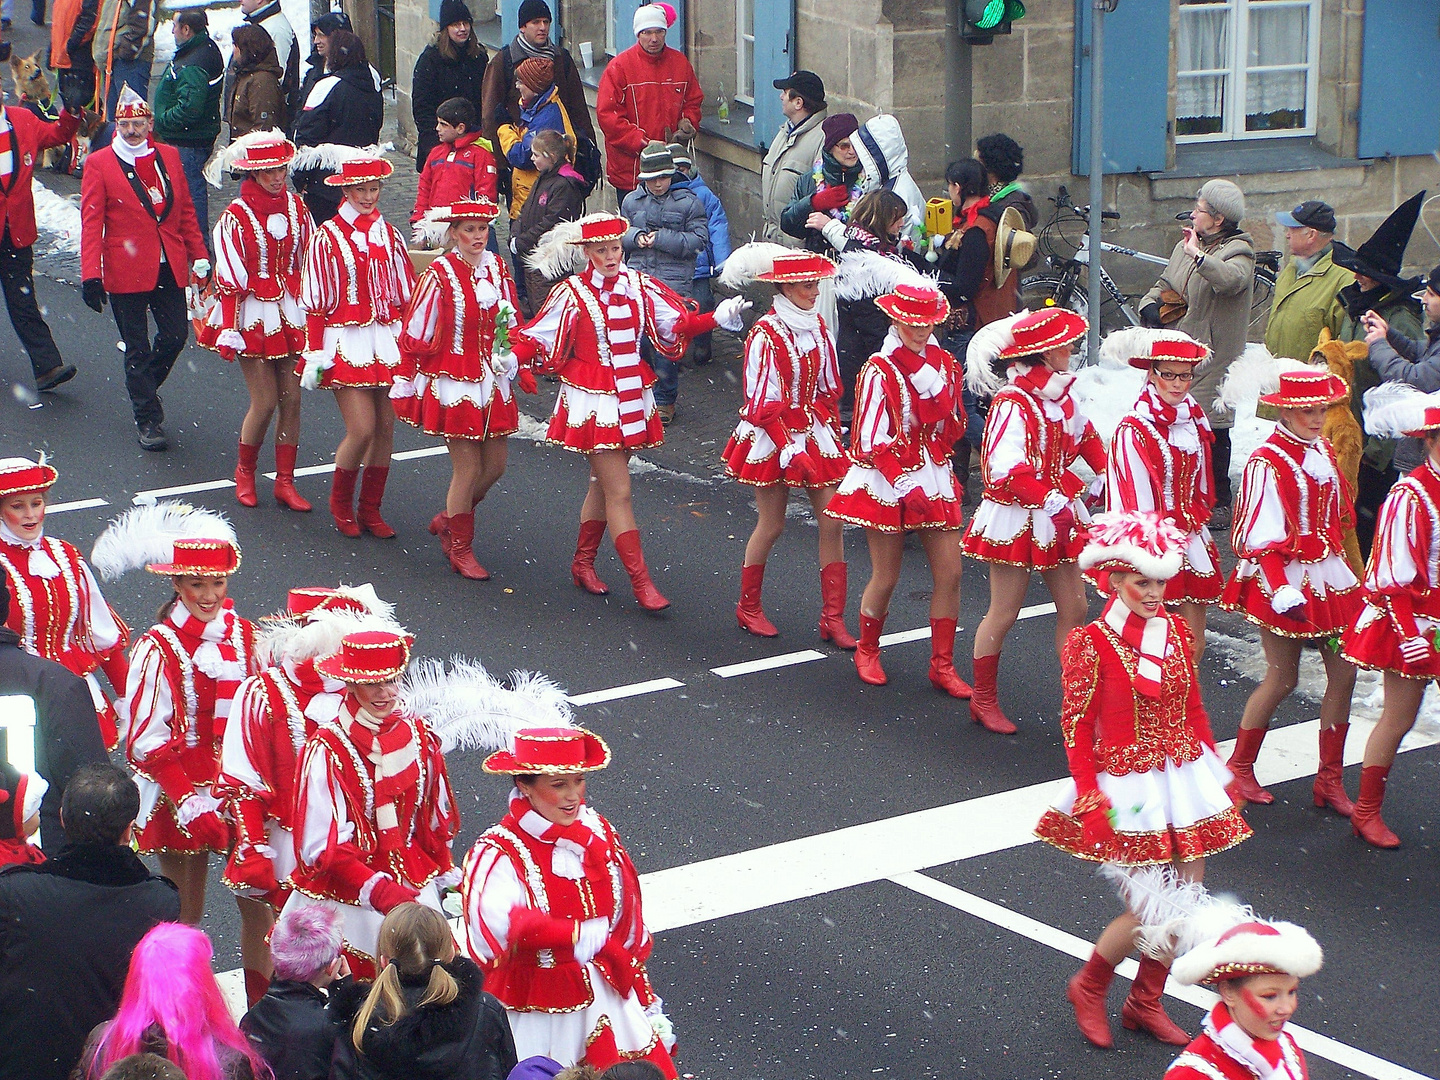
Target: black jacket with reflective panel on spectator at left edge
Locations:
point(67, 735)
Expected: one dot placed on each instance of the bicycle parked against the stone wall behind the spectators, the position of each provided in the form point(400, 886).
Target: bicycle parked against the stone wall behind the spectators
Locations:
point(1065, 247)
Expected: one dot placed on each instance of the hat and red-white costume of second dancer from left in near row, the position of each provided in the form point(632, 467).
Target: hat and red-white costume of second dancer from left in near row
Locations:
point(185, 676)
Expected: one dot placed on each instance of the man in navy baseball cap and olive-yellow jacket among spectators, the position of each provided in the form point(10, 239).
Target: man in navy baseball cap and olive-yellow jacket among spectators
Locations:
point(1308, 284)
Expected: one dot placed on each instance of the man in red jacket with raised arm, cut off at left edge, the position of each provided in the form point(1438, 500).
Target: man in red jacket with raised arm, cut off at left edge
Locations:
point(22, 139)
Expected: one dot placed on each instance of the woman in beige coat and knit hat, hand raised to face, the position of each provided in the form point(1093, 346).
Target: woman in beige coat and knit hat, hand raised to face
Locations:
point(1206, 293)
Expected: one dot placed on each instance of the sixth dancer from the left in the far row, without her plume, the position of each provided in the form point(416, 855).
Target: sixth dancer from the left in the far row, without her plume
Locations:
point(908, 417)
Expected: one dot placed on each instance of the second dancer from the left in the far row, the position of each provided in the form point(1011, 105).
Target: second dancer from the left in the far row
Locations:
point(356, 283)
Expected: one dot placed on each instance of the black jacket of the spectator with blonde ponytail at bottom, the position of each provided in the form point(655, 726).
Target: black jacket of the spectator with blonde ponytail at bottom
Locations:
point(467, 1040)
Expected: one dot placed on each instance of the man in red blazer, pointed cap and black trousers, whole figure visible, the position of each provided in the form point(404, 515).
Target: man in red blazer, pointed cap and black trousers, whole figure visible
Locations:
point(140, 243)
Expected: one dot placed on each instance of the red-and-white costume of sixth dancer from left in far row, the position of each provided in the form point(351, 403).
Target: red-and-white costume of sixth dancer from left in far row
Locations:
point(906, 420)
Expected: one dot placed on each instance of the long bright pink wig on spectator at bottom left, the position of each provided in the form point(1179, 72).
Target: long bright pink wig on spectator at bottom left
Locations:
point(171, 986)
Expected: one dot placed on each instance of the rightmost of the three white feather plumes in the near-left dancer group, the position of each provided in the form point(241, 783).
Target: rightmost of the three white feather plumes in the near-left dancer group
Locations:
point(469, 709)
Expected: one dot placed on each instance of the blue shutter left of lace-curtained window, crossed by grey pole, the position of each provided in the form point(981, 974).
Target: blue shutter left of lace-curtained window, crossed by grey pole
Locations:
point(1137, 87)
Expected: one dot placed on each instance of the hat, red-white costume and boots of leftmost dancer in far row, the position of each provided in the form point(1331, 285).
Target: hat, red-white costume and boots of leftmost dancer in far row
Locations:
point(260, 251)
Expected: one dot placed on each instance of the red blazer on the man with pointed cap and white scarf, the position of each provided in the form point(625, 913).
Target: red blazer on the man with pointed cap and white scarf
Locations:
point(120, 238)
